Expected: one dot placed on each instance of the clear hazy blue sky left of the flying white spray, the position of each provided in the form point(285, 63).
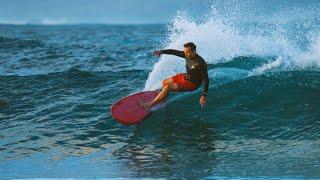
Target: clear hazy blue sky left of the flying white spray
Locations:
point(96, 11)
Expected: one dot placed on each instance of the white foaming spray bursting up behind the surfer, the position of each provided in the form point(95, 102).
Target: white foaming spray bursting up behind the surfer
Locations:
point(220, 41)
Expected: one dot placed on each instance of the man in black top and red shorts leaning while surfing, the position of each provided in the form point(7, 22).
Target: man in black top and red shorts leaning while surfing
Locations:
point(190, 81)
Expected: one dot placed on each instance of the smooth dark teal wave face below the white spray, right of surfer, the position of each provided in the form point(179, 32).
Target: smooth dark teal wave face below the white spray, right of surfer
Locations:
point(282, 105)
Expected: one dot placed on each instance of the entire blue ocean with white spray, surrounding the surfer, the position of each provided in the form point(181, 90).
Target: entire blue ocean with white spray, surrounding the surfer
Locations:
point(57, 84)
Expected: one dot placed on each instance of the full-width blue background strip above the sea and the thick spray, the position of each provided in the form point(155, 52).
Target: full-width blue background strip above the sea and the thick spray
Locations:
point(148, 11)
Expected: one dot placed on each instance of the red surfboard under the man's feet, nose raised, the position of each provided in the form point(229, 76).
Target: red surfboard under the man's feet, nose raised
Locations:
point(127, 110)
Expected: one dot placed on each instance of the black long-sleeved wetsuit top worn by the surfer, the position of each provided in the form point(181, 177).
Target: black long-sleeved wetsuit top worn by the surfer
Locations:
point(196, 68)
